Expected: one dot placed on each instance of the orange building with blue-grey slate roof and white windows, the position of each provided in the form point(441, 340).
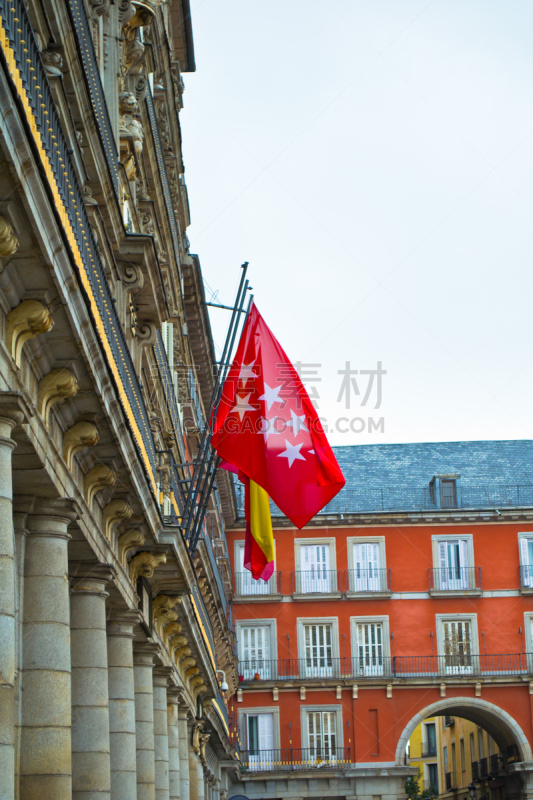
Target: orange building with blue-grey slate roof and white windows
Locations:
point(408, 597)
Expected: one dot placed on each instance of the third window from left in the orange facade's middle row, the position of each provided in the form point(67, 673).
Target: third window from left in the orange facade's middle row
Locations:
point(370, 645)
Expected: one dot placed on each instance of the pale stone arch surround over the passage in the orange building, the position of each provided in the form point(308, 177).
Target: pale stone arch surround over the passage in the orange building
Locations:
point(497, 722)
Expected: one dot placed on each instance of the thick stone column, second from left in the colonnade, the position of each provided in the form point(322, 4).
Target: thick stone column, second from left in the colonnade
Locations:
point(45, 749)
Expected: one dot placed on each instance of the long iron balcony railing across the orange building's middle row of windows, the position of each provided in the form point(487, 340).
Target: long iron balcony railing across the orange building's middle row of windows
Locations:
point(321, 664)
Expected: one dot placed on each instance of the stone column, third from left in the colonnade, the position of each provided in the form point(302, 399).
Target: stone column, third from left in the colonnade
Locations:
point(91, 774)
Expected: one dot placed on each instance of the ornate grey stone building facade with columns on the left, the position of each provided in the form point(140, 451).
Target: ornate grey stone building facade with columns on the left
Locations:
point(115, 626)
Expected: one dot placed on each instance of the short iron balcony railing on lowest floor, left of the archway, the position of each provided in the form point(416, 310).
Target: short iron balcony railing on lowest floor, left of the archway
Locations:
point(293, 758)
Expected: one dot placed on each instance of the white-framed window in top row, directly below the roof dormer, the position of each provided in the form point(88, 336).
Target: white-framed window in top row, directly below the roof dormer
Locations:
point(453, 560)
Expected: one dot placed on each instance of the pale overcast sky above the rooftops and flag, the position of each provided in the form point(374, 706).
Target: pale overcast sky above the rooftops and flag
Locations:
point(373, 161)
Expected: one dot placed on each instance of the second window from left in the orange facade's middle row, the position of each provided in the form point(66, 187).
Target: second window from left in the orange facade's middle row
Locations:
point(318, 647)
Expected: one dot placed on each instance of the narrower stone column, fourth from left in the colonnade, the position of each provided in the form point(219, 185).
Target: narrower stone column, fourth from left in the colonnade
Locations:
point(122, 740)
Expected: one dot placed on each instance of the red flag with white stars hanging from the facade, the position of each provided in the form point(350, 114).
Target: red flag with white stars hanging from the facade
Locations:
point(267, 427)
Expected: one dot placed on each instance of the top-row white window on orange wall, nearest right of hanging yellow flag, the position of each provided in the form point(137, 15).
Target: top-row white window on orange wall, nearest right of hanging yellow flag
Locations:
point(315, 567)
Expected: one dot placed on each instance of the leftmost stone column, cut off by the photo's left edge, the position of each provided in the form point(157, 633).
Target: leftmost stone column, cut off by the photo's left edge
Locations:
point(11, 414)
